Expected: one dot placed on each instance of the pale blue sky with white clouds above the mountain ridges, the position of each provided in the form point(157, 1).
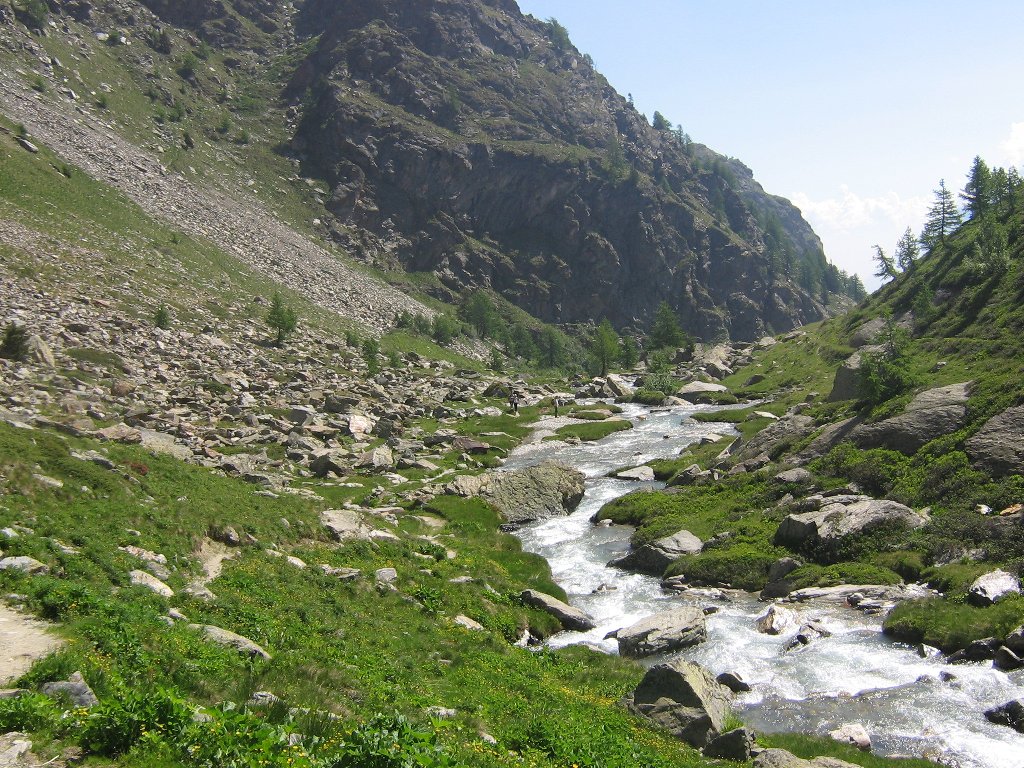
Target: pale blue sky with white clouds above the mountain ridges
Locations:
point(852, 111)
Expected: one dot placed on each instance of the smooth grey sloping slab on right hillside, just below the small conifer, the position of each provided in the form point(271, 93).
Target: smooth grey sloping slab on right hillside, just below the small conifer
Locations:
point(931, 414)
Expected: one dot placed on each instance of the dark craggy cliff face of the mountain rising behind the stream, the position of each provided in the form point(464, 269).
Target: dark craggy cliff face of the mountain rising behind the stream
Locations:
point(464, 139)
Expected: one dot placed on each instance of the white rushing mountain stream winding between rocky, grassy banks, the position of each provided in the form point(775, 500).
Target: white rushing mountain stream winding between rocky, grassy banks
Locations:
point(910, 706)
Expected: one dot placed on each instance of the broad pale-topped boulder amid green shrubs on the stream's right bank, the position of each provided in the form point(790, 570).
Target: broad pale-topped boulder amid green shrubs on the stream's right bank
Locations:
point(824, 530)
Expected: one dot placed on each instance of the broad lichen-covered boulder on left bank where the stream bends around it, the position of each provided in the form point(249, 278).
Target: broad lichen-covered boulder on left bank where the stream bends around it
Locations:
point(537, 493)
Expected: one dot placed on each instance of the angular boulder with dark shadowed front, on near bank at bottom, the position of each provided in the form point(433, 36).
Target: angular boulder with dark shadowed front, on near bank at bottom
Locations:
point(686, 700)
